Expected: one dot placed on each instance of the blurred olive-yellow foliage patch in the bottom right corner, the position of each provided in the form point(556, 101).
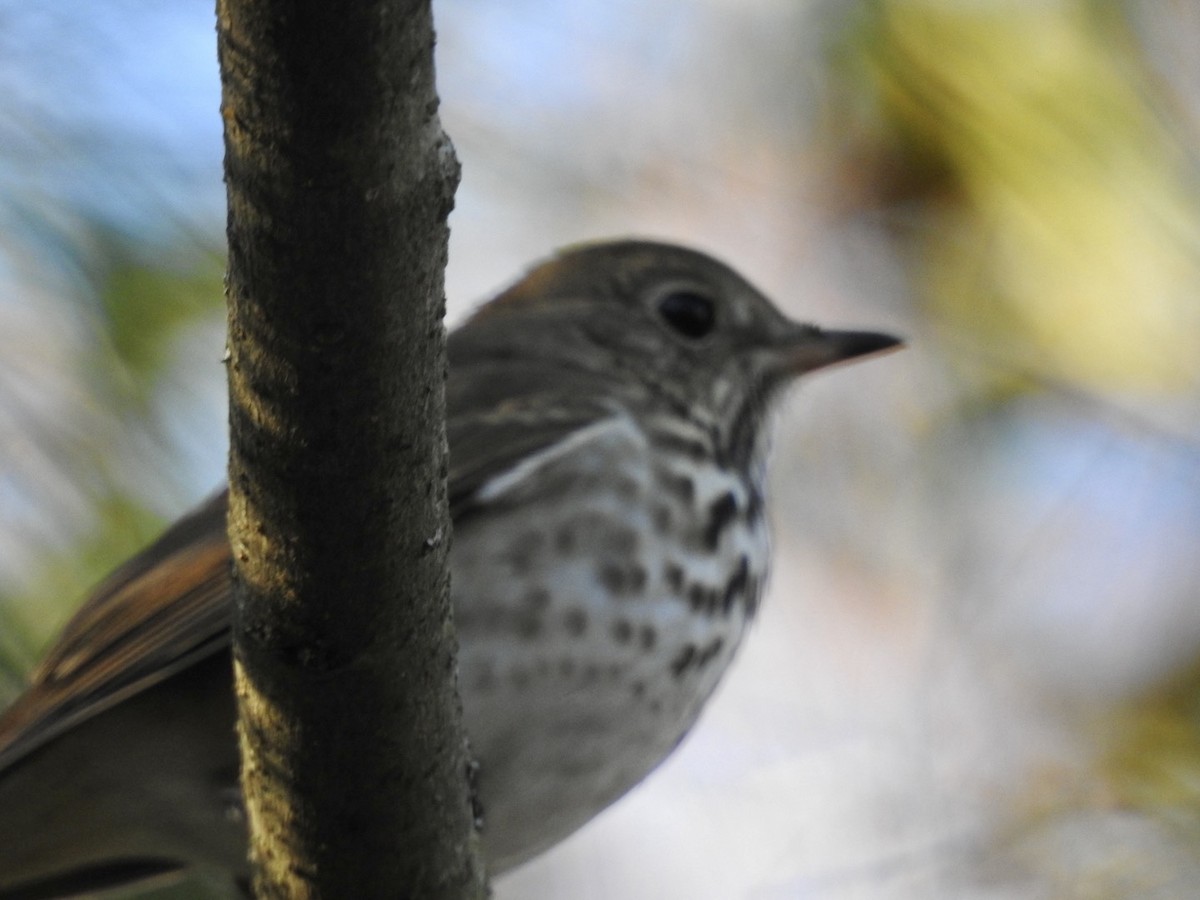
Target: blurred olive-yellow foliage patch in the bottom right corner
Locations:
point(1126, 825)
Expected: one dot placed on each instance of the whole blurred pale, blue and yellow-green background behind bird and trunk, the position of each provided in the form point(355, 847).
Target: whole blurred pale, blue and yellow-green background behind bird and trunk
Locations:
point(977, 674)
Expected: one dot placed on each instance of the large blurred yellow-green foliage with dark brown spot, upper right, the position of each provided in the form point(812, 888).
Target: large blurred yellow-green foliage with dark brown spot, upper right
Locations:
point(1054, 206)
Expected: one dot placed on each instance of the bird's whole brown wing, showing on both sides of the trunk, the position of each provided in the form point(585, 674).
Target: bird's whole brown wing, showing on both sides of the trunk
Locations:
point(170, 607)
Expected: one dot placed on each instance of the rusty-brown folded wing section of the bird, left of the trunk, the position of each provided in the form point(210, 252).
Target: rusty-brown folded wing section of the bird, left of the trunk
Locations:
point(160, 613)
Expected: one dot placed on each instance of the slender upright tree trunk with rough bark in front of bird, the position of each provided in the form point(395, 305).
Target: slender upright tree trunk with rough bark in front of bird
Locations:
point(340, 181)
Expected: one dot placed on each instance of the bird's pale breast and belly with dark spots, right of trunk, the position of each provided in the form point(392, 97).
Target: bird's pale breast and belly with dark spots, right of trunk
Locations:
point(589, 643)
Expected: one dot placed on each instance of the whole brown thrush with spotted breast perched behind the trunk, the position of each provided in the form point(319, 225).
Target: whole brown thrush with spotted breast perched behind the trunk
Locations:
point(608, 431)
